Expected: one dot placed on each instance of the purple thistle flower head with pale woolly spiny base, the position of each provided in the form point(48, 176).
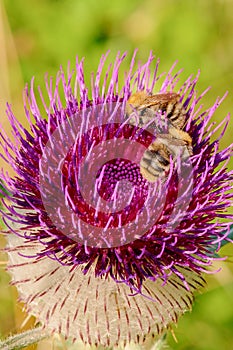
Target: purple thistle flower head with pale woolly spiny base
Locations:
point(97, 252)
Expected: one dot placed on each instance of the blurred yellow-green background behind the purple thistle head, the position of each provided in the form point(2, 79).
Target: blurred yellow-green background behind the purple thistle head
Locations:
point(38, 36)
